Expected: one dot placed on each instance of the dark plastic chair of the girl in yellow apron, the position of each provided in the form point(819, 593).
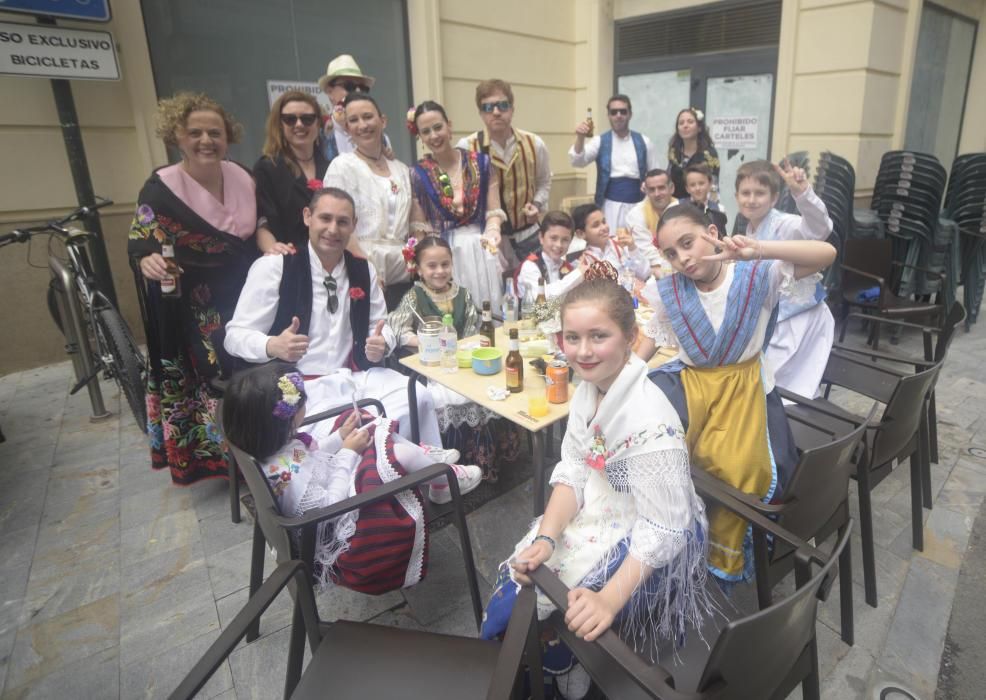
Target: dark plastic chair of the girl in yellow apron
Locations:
point(815, 505)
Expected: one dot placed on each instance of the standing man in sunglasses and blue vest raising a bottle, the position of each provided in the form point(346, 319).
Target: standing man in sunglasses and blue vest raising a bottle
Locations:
point(622, 159)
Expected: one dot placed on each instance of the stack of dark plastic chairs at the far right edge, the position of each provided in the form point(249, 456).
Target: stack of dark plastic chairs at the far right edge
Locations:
point(965, 204)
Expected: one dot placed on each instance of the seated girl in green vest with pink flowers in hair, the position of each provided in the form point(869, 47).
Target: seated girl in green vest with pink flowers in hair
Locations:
point(464, 425)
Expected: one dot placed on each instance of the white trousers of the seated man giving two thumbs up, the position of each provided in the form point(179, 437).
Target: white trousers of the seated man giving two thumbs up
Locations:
point(385, 385)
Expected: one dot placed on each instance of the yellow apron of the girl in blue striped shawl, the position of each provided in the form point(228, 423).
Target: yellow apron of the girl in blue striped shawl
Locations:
point(727, 437)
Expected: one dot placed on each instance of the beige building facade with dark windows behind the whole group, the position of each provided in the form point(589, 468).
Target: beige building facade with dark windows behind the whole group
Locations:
point(854, 77)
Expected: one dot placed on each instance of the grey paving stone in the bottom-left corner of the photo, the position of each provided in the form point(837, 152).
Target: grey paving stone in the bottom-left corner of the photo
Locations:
point(96, 676)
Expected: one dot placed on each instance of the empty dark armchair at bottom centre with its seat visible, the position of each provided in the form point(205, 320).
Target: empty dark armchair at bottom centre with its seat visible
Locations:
point(364, 661)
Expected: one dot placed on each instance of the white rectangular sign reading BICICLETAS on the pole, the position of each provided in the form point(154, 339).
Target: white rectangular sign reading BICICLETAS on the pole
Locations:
point(52, 52)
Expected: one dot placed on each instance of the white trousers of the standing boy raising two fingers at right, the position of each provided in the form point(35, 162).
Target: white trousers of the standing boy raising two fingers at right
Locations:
point(799, 350)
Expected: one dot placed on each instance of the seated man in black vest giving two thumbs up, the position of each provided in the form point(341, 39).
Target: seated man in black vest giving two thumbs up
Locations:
point(316, 308)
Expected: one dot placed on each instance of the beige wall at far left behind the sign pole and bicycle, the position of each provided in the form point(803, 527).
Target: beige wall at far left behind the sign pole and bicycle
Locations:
point(36, 184)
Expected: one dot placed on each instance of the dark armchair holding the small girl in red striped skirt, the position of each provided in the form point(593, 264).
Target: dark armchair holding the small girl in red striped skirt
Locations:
point(294, 538)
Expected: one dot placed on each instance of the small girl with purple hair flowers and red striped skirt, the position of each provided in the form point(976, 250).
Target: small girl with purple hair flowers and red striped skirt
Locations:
point(382, 546)
